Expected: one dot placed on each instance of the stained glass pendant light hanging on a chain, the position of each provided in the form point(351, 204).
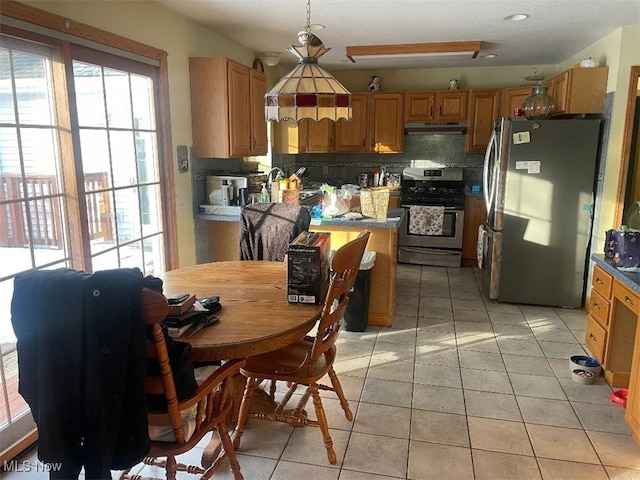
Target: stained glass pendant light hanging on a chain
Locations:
point(308, 91)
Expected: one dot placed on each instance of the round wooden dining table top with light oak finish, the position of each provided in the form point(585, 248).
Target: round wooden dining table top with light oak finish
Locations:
point(255, 316)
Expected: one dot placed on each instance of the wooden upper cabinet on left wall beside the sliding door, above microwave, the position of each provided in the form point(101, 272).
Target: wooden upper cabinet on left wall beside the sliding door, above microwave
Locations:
point(227, 108)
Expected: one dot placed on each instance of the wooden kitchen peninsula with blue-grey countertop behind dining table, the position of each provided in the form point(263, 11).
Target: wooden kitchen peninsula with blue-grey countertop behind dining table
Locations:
point(383, 240)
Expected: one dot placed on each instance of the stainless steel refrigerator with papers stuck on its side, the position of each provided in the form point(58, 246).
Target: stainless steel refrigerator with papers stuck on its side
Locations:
point(539, 179)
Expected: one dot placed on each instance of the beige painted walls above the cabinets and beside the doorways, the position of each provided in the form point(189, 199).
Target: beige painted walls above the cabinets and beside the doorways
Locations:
point(159, 27)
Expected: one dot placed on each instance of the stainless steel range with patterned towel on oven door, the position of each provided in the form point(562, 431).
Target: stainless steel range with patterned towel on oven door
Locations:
point(433, 235)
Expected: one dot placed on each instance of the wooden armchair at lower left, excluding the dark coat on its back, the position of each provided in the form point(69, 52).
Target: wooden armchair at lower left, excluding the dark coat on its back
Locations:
point(181, 424)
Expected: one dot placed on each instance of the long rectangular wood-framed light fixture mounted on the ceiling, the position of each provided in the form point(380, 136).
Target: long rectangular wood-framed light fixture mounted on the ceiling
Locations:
point(416, 50)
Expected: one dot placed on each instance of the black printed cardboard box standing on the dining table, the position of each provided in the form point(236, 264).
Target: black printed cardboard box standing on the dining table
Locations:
point(308, 265)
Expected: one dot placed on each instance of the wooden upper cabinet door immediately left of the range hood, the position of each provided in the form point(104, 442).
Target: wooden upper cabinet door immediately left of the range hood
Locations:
point(386, 128)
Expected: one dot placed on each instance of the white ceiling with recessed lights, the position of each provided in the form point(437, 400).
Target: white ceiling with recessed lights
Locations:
point(554, 31)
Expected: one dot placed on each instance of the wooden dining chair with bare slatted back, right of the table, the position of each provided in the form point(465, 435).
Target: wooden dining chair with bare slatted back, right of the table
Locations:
point(311, 358)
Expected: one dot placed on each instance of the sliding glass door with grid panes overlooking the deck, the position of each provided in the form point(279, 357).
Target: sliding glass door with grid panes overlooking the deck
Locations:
point(80, 182)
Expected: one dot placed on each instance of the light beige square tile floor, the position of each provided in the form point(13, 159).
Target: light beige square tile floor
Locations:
point(459, 388)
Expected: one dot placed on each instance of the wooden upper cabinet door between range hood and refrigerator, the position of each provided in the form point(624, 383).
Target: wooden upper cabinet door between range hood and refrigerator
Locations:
point(483, 111)
